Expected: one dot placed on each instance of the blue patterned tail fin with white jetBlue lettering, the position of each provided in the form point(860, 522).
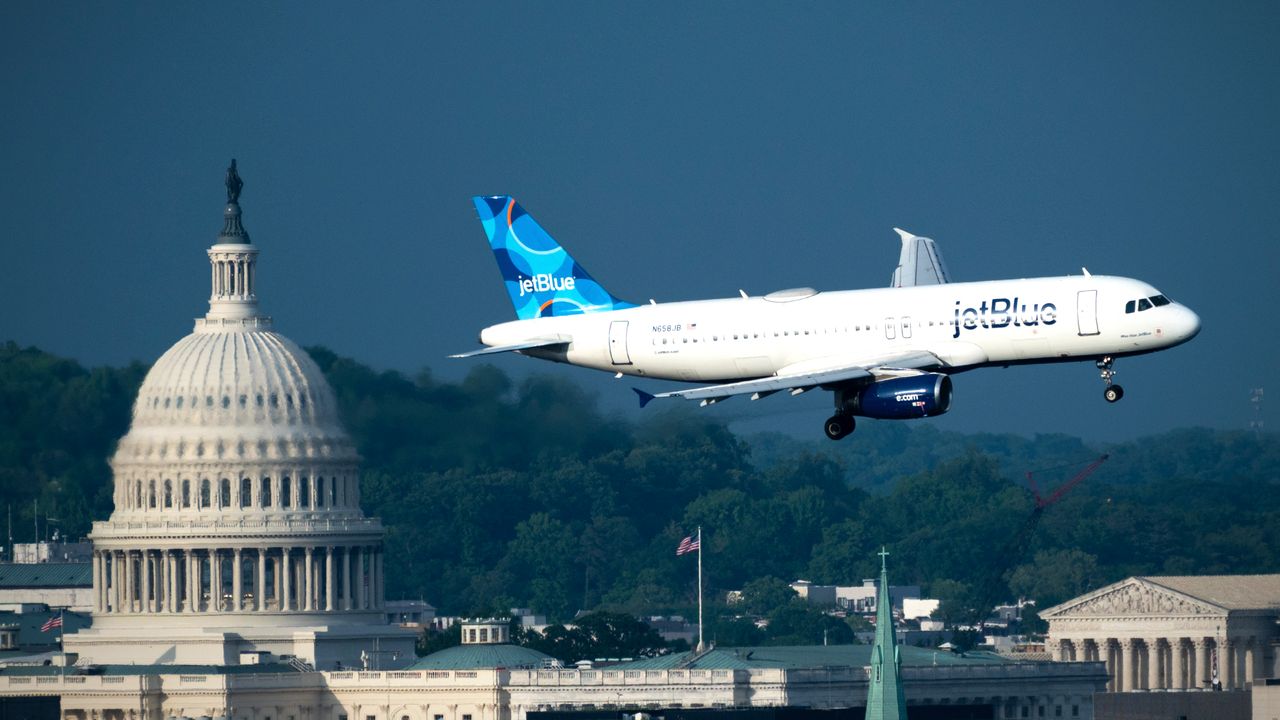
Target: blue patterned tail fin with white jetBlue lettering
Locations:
point(542, 279)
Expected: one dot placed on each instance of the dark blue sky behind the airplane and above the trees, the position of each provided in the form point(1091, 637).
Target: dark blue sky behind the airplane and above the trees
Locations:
point(682, 151)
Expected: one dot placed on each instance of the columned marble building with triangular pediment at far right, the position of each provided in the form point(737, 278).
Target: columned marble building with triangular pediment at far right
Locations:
point(1177, 634)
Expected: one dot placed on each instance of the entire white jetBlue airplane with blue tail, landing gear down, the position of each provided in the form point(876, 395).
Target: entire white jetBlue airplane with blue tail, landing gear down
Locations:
point(884, 353)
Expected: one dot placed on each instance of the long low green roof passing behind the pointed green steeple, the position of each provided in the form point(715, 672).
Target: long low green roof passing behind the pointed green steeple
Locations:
point(790, 658)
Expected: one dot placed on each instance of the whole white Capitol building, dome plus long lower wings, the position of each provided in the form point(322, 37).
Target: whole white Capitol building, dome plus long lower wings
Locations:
point(237, 578)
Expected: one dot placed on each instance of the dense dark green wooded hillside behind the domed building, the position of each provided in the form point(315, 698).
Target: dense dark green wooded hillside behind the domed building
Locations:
point(499, 494)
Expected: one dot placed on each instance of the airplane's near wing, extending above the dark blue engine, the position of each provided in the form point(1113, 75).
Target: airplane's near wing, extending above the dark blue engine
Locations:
point(807, 376)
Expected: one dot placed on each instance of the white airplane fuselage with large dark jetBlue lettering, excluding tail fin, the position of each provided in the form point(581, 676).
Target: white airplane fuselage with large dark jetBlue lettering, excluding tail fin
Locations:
point(966, 325)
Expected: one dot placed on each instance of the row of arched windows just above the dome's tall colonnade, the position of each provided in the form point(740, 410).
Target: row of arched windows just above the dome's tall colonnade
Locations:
point(326, 493)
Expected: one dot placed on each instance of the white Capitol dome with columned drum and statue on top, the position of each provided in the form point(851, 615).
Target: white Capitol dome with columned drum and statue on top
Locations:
point(237, 523)
